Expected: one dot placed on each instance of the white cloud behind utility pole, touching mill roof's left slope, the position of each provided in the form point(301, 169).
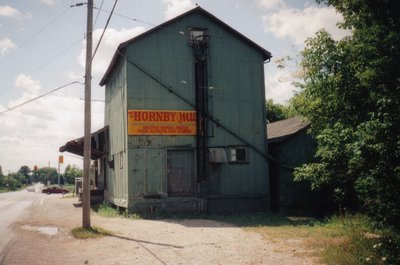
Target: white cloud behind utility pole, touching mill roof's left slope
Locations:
point(112, 38)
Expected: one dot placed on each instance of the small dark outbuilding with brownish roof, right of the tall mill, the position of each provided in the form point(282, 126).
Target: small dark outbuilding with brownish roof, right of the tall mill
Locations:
point(291, 146)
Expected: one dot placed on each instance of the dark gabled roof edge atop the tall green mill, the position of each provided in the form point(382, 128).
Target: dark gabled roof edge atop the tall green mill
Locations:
point(120, 50)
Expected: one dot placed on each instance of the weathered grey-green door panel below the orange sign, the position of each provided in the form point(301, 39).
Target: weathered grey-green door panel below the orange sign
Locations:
point(180, 172)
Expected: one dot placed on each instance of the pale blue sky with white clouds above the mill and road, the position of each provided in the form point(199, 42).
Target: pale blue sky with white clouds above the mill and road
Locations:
point(42, 48)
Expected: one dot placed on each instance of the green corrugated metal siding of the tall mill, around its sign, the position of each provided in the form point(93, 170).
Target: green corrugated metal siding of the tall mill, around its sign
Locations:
point(235, 73)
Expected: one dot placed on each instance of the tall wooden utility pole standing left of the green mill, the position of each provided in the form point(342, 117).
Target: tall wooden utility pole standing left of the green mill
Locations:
point(87, 134)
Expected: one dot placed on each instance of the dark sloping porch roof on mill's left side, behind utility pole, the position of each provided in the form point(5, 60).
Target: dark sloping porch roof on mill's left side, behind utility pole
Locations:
point(99, 144)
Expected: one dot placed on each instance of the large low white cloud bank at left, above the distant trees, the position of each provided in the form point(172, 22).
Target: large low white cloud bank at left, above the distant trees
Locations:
point(32, 134)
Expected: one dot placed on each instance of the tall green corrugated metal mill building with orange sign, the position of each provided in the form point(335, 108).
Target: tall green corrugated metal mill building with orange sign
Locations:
point(185, 112)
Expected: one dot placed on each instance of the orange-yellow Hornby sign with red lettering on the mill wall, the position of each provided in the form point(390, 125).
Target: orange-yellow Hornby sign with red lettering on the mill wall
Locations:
point(161, 122)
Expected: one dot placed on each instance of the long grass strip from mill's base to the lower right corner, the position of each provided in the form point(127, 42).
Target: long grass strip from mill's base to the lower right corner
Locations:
point(337, 240)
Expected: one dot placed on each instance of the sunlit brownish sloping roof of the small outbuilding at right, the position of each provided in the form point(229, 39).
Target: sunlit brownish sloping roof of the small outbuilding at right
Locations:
point(281, 130)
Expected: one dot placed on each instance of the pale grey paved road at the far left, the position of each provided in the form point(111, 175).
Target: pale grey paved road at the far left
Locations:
point(13, 206)
